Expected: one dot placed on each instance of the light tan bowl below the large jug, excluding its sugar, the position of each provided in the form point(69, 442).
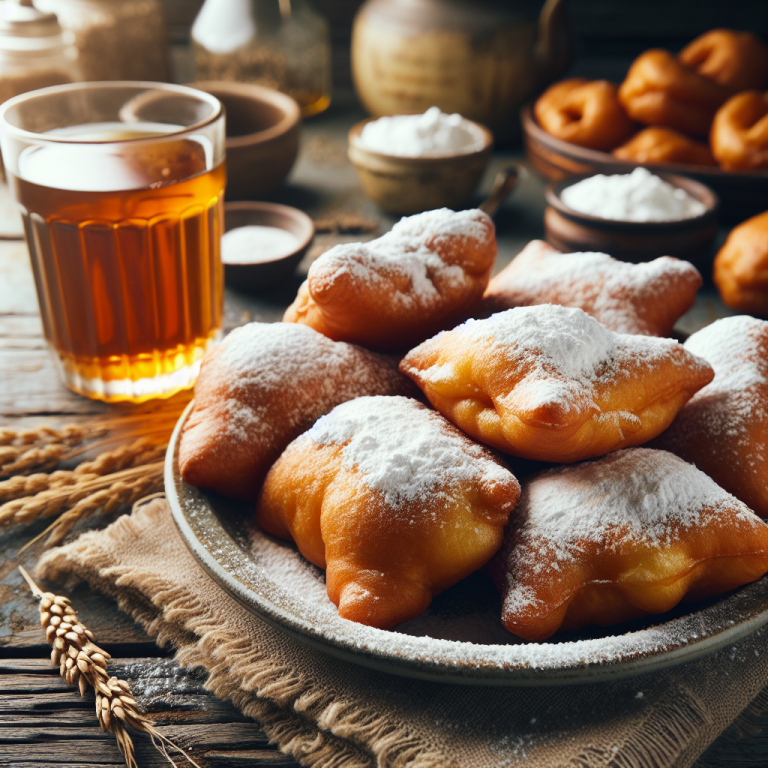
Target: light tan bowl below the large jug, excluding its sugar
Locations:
point(407, 185)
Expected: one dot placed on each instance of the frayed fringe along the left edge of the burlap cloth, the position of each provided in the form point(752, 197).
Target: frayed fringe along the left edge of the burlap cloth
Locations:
point(334, 735)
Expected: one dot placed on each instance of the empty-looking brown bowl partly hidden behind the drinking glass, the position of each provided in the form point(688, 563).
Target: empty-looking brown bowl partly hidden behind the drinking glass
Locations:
point(262, 136)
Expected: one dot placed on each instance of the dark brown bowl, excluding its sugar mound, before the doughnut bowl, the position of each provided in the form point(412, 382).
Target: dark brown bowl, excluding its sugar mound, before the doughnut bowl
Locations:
point(691, 239)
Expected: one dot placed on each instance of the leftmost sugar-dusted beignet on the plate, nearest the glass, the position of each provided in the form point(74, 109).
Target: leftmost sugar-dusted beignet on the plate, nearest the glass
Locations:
point(259, 389)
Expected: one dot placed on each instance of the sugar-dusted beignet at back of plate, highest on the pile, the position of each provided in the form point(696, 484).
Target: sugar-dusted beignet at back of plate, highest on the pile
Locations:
point(427, 274)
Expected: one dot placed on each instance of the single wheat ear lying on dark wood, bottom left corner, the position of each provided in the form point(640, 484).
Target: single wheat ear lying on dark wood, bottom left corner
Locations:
point(81, 662)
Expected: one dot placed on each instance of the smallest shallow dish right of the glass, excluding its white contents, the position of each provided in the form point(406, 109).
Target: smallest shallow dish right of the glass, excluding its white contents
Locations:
point(260, 274)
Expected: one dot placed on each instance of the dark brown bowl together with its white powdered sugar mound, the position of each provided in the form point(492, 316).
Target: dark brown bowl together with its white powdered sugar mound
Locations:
point(651, 220)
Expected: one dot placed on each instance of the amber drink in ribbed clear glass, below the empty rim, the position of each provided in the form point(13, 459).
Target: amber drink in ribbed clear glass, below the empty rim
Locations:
point(126, 259)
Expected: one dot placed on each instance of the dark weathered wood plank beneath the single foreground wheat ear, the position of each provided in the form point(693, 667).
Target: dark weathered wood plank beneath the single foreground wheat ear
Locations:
point(41, 715)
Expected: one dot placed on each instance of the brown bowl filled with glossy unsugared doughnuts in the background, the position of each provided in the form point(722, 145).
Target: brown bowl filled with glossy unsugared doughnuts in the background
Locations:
point(721, 142)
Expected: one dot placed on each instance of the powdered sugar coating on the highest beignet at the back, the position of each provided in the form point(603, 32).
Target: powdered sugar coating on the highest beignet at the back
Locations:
point(406, 257)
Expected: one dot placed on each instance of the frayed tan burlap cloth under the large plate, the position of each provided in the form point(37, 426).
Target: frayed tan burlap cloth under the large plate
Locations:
point(327, 713)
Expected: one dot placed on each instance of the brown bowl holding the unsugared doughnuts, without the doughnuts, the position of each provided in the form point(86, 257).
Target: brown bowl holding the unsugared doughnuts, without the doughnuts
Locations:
point(742, 195)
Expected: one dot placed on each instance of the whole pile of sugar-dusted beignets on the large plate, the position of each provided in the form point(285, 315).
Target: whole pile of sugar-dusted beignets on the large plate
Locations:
point(413, 420)
